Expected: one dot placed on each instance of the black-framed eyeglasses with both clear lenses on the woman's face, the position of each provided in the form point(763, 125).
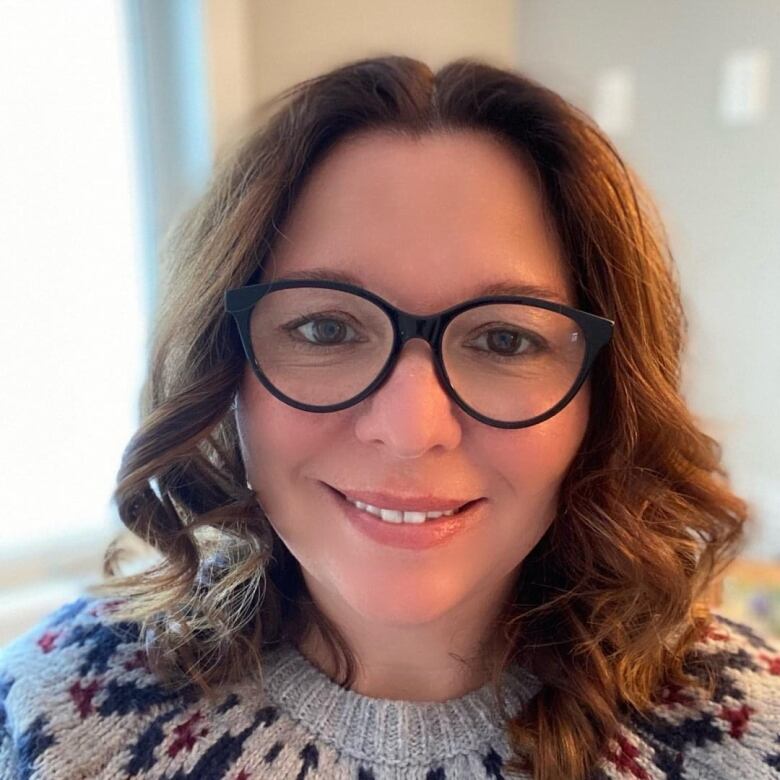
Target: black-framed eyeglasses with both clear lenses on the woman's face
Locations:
point(508, 361)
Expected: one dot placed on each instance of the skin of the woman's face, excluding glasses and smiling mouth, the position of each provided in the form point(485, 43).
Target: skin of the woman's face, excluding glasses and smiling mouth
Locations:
point(425, 224)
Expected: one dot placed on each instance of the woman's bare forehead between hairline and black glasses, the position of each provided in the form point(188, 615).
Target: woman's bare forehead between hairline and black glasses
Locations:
point(423, 222)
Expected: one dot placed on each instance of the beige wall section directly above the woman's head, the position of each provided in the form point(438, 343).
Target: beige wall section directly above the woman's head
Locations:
point(258, 47)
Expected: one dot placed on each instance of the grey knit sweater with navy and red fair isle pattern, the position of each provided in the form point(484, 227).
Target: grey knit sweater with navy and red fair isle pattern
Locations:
point(78, 702)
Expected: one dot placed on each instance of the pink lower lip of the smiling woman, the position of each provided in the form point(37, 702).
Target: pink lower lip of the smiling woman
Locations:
point(410, 536)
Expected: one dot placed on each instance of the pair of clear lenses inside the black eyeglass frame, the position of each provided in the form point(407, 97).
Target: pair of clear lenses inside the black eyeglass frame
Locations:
point(510, 362)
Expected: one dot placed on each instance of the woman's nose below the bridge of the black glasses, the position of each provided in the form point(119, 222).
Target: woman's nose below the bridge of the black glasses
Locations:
point(411, 412)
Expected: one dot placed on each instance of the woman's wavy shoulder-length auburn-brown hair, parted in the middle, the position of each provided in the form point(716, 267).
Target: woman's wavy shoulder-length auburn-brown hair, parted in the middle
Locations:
point(608, 605)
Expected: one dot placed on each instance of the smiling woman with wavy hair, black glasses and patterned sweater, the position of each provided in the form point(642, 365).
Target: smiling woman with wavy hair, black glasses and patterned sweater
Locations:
point(484, 556)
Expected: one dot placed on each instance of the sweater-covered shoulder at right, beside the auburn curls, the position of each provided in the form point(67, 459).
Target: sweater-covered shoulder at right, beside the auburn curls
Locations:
point(734, 733)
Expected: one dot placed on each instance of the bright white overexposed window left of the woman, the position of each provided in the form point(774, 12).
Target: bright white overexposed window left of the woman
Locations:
point(72, 316)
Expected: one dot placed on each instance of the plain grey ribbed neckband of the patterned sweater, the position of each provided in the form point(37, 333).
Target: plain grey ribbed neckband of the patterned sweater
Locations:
point(390, 731)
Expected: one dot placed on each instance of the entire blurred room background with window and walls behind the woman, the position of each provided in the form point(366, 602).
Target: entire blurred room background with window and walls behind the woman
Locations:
point(115, 111)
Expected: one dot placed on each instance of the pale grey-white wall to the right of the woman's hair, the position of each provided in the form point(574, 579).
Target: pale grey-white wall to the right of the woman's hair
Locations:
point(718, 185)
